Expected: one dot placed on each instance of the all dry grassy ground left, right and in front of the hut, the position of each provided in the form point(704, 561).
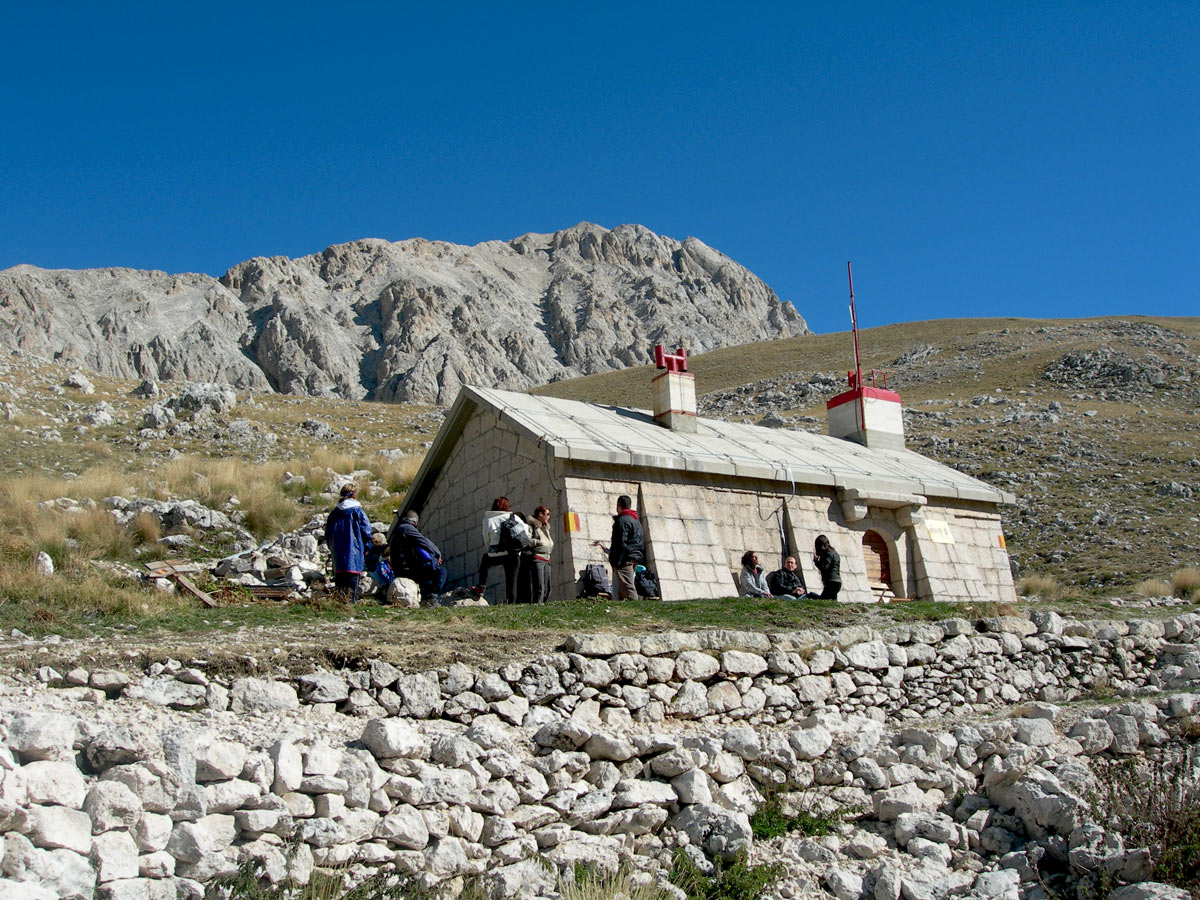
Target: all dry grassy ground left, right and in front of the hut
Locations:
point(1093, 424)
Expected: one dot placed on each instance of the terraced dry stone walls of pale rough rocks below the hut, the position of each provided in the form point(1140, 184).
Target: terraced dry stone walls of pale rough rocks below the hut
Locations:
point(613, 751)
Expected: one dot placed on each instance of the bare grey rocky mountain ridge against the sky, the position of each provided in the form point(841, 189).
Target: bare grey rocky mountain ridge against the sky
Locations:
point(409, 321)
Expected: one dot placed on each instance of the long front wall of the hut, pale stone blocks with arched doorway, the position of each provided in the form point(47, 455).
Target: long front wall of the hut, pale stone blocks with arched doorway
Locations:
point(698, 532)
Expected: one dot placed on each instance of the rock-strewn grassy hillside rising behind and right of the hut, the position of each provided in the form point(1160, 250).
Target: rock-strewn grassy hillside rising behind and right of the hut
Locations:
point(1103, 460)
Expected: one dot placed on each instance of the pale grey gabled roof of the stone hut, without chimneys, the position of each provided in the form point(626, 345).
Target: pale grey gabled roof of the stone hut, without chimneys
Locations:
point(595, 433)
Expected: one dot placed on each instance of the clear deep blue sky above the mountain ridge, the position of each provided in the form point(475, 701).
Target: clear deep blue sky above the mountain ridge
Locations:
point(973, 159)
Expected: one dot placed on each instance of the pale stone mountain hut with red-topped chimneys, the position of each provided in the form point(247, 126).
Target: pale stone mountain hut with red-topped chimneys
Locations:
point(709, 490)
